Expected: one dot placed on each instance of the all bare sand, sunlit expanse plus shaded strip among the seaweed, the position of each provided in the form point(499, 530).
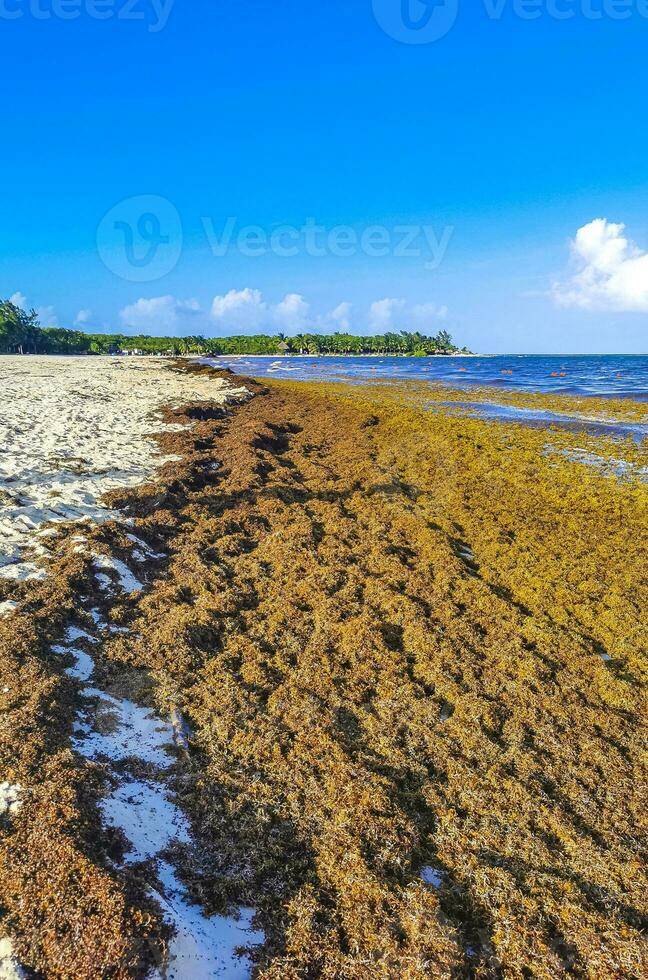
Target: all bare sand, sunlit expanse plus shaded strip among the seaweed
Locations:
point(70, 430)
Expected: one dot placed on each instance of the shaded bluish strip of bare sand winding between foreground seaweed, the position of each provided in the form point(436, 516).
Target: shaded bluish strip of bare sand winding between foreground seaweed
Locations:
point(115, 730)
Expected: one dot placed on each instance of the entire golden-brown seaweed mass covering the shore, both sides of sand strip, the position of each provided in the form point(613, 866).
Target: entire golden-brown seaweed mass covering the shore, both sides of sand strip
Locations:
point(402, 640)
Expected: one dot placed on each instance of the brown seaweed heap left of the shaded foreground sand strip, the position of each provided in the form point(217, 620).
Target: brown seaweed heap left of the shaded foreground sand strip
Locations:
point(70, 914)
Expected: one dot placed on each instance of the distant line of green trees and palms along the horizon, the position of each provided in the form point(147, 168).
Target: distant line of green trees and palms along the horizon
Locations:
point(21, 334)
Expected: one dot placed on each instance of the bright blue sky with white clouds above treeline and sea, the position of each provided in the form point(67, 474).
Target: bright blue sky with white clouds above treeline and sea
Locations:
point(497, 142)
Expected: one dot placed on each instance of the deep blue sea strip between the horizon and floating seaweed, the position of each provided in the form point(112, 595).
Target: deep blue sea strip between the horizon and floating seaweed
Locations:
point(608, 375)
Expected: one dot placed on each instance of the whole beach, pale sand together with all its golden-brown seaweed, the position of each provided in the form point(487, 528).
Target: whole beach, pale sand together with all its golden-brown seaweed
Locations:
point(321, 680)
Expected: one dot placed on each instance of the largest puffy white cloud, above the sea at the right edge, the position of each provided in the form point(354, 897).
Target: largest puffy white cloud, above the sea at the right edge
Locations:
point(611, 272)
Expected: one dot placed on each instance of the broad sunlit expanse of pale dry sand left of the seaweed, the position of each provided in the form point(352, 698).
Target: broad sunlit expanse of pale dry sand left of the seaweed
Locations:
point(72, 428)
